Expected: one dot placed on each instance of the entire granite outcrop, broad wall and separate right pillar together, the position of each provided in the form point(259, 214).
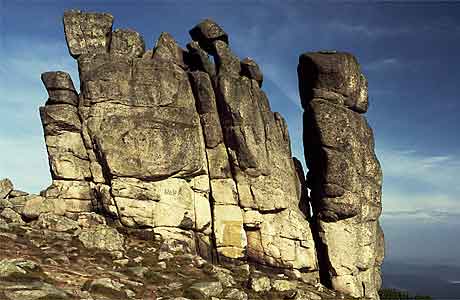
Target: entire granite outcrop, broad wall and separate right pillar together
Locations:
point(187, 147)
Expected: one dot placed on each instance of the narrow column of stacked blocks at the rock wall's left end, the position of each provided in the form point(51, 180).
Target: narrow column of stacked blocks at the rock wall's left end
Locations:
point(68, 158)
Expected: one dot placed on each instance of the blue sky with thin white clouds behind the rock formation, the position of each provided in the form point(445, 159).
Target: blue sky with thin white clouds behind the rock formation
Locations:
point(410, 53)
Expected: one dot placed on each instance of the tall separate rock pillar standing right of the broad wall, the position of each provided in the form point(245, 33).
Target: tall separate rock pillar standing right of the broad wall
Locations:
point(344, 174)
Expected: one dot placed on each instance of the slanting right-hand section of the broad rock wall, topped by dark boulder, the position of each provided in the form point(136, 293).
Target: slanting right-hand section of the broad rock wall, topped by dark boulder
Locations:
point(267, 184)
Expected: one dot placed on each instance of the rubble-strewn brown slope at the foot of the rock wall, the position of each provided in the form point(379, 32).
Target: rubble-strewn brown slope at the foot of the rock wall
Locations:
point(49, 263)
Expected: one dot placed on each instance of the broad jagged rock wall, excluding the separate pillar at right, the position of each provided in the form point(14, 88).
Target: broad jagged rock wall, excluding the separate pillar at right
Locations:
point(167, 139)
